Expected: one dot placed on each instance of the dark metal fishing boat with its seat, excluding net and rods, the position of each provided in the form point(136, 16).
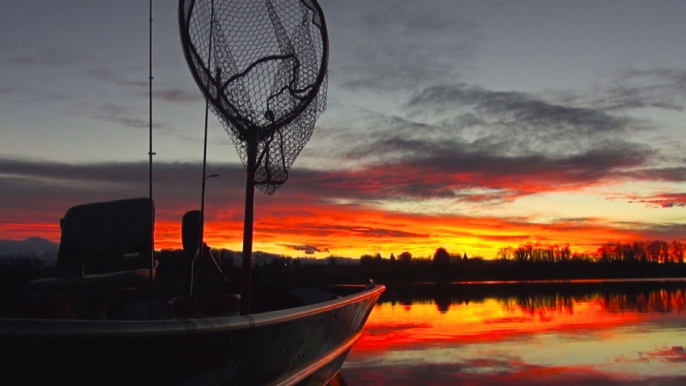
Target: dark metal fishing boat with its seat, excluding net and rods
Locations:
point(106, 336)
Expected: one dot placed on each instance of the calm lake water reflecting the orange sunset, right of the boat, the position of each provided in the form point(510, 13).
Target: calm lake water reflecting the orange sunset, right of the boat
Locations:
point(580, 333)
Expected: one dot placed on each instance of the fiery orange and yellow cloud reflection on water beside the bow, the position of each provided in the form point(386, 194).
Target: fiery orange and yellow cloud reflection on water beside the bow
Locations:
point(473, 323)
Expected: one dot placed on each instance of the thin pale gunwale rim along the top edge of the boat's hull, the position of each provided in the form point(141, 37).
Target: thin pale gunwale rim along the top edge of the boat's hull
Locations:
point(22, 328)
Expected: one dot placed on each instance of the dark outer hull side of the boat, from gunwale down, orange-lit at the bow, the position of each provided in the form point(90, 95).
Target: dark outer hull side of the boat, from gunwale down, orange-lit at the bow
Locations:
point(304, 345)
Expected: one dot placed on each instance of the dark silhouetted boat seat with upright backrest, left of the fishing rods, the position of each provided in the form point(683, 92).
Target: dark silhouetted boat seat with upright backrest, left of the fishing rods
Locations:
point(92, 233)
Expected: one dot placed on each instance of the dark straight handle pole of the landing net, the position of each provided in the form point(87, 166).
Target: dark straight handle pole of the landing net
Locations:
point(248, 228)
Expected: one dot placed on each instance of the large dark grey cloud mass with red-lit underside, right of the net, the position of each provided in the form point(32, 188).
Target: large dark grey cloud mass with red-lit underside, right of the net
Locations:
point(465, 143)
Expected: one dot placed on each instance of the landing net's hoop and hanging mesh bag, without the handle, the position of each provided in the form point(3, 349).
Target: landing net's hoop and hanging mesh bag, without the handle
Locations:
point(262, 66)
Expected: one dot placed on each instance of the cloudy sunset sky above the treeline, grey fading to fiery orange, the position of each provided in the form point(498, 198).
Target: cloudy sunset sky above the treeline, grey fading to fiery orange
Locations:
point(468, 125)
